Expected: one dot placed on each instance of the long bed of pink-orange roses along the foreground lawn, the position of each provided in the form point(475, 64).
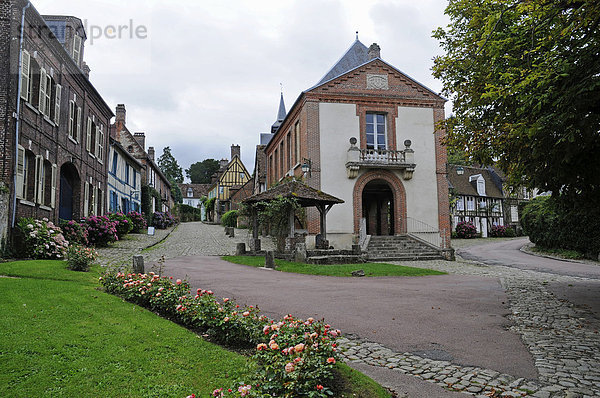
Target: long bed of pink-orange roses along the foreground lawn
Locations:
point(293, 357)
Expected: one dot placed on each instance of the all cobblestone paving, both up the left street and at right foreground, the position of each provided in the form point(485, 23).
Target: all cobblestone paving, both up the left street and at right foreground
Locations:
point(562, 338)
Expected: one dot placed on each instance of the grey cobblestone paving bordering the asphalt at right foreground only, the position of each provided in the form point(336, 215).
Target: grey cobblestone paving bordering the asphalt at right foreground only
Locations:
point(562, 338)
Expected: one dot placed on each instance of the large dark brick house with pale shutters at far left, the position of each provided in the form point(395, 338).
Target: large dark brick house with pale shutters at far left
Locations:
point(54, 124)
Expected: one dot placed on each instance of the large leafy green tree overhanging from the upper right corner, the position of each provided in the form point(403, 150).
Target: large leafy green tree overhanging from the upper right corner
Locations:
point(524, 78)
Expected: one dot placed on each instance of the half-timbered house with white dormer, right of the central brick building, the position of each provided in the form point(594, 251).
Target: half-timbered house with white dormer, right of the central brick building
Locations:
point(477, 197)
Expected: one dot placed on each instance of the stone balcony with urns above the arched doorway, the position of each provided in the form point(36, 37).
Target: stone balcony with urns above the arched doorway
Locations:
point(358, 158)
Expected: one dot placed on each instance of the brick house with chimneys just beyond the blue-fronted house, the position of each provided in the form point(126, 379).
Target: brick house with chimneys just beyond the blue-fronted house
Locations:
point(152, 176)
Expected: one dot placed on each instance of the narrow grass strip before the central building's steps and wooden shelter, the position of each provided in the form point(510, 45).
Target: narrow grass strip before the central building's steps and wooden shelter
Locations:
point(371, 269)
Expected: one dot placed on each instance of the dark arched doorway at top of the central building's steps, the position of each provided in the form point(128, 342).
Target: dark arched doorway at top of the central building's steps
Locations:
point(378, 208)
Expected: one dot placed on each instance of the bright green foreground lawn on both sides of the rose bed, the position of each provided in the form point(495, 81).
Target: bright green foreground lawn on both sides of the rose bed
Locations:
point(61, 336)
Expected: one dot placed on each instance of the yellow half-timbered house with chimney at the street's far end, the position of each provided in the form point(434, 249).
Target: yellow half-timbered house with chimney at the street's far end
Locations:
point(231, 174)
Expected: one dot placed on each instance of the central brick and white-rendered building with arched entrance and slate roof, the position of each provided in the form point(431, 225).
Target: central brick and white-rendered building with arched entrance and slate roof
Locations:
point(366, 133)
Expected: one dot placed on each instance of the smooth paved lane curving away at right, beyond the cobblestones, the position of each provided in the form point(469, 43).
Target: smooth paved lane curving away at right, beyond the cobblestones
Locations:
point(507, 253)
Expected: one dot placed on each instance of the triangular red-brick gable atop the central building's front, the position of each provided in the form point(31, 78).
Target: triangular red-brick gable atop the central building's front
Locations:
point(376, 78)
